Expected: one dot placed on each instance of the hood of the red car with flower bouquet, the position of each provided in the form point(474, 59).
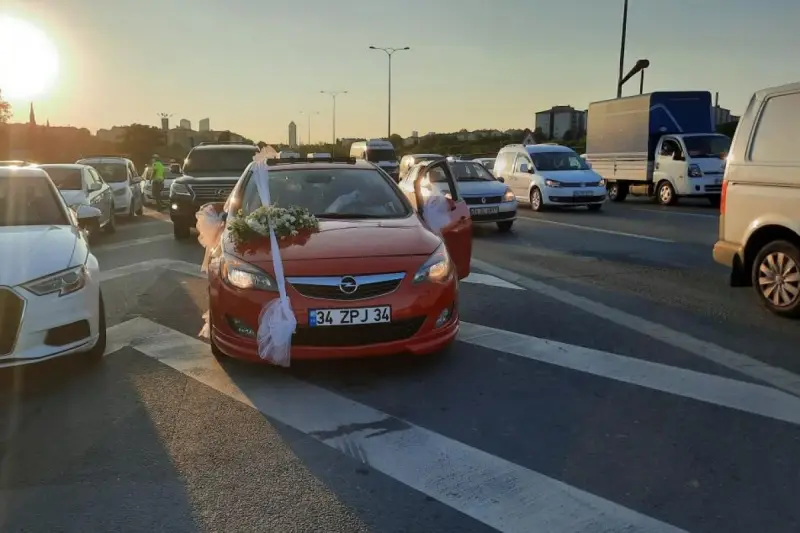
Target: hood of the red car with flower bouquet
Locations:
point(340, 239)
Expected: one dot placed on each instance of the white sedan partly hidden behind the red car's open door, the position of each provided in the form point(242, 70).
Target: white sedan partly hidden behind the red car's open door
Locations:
point(490, 200)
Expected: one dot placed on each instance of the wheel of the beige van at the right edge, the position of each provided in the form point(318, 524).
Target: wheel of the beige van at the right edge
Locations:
point(778, 258)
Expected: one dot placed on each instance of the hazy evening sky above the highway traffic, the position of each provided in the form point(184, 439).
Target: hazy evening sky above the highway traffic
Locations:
point(252, 66)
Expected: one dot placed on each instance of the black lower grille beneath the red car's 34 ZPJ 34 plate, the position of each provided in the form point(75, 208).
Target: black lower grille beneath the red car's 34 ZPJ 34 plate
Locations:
point(363, 335)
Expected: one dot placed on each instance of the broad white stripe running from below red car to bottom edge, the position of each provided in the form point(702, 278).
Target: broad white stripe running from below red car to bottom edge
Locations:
point(492, 490)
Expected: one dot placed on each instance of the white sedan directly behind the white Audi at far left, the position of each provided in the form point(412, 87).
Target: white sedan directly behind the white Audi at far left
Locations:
point(82, 185)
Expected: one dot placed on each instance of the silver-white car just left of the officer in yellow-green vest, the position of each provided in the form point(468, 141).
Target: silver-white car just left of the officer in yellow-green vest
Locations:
point(121, 175)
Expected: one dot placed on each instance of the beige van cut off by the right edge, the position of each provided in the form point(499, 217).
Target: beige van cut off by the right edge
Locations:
point(759, 226)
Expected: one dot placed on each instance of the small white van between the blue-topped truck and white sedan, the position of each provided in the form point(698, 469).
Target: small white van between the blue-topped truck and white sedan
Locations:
point(550, 175)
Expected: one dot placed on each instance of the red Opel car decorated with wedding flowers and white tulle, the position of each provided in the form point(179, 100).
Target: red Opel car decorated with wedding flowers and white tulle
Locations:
point(373, 280)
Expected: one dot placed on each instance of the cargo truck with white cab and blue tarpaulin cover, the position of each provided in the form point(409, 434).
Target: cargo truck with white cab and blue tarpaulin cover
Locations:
point(662, 145)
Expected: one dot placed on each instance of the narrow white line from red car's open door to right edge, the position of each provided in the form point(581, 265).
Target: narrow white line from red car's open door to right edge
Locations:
point(744, 364)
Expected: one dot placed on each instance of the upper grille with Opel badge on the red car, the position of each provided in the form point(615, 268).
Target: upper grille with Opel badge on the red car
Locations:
point(328, 287)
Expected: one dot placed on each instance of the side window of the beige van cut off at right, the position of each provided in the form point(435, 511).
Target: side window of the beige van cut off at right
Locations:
point(775, 140)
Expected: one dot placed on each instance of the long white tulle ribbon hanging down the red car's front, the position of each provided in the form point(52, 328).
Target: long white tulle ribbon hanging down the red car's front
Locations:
point(276, 322)
